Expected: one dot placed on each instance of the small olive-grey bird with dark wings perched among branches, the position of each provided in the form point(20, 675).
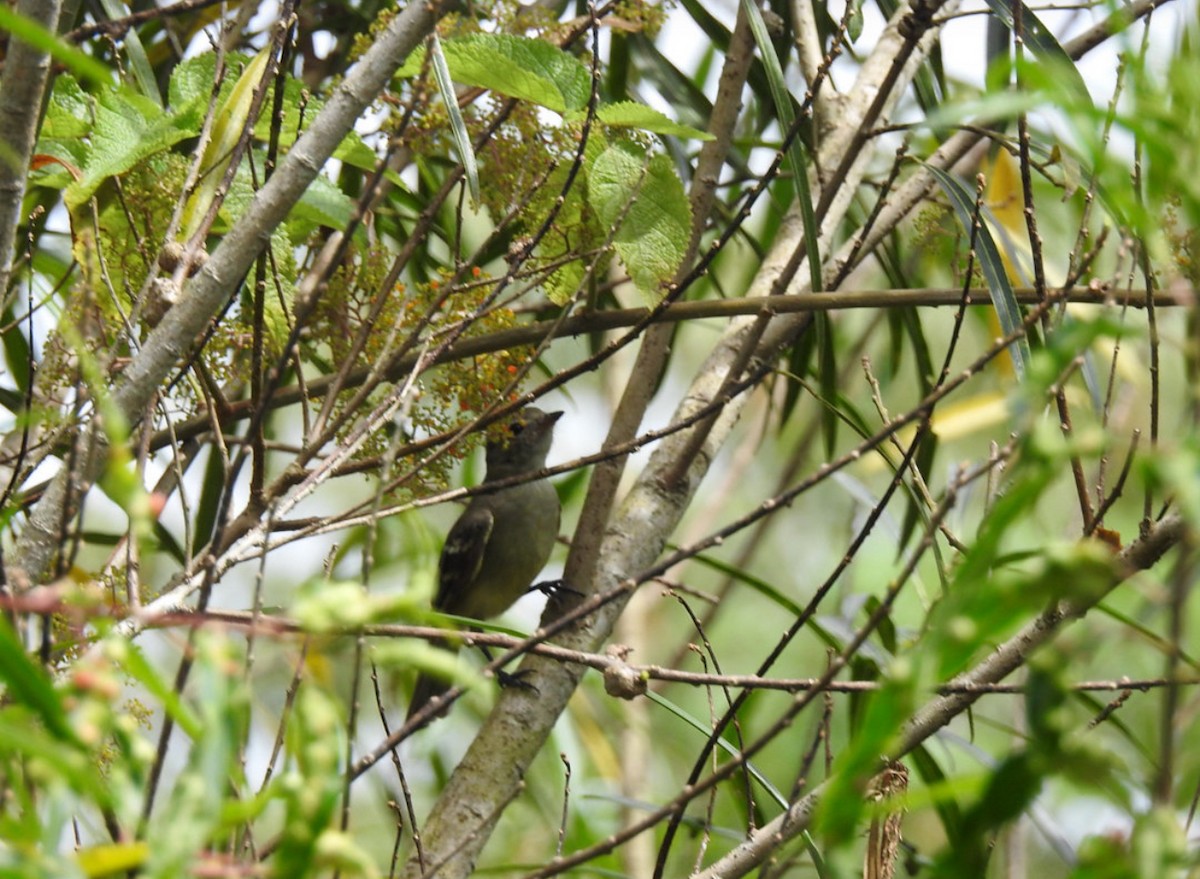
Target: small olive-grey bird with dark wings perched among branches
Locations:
point(503, 539)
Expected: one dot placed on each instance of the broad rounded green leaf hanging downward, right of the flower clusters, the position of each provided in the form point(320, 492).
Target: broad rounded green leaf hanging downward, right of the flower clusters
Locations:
point(645, 202)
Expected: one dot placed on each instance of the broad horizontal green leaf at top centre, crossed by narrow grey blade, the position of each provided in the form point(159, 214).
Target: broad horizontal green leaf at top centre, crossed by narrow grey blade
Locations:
point(523, 68)
